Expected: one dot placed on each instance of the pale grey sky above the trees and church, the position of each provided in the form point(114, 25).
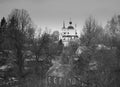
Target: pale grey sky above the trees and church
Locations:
point(52, 13)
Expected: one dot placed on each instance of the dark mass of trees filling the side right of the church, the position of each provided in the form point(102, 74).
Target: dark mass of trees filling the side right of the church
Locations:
point(99, 54)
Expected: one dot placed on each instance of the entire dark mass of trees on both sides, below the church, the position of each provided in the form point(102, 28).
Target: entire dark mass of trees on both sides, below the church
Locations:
point(25, 59)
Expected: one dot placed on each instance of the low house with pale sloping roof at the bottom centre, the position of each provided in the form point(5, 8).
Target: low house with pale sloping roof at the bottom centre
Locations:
point(62, 76)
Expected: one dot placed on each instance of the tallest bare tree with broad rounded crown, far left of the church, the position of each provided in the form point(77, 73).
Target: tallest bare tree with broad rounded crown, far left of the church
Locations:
point(19, 25)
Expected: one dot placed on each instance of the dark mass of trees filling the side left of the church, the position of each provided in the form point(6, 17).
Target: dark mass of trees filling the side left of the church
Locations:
point(24, 59)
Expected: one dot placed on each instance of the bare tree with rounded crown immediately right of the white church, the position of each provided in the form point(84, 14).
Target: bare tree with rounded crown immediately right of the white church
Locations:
point(91, 33)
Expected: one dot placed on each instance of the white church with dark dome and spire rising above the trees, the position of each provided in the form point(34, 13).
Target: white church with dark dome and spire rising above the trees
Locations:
point(68, 33)
